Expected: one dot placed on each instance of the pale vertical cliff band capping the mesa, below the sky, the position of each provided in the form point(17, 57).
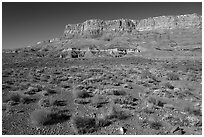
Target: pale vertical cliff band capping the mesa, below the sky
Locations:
point(98, 27)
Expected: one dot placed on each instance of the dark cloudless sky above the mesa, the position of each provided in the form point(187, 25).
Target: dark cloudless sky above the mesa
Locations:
point(26, 23)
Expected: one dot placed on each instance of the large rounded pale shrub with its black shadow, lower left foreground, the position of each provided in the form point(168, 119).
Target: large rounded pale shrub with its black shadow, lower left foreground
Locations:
point(43, 117)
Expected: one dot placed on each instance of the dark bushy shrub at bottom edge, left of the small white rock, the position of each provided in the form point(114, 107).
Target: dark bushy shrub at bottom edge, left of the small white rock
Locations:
point(83, 125)
